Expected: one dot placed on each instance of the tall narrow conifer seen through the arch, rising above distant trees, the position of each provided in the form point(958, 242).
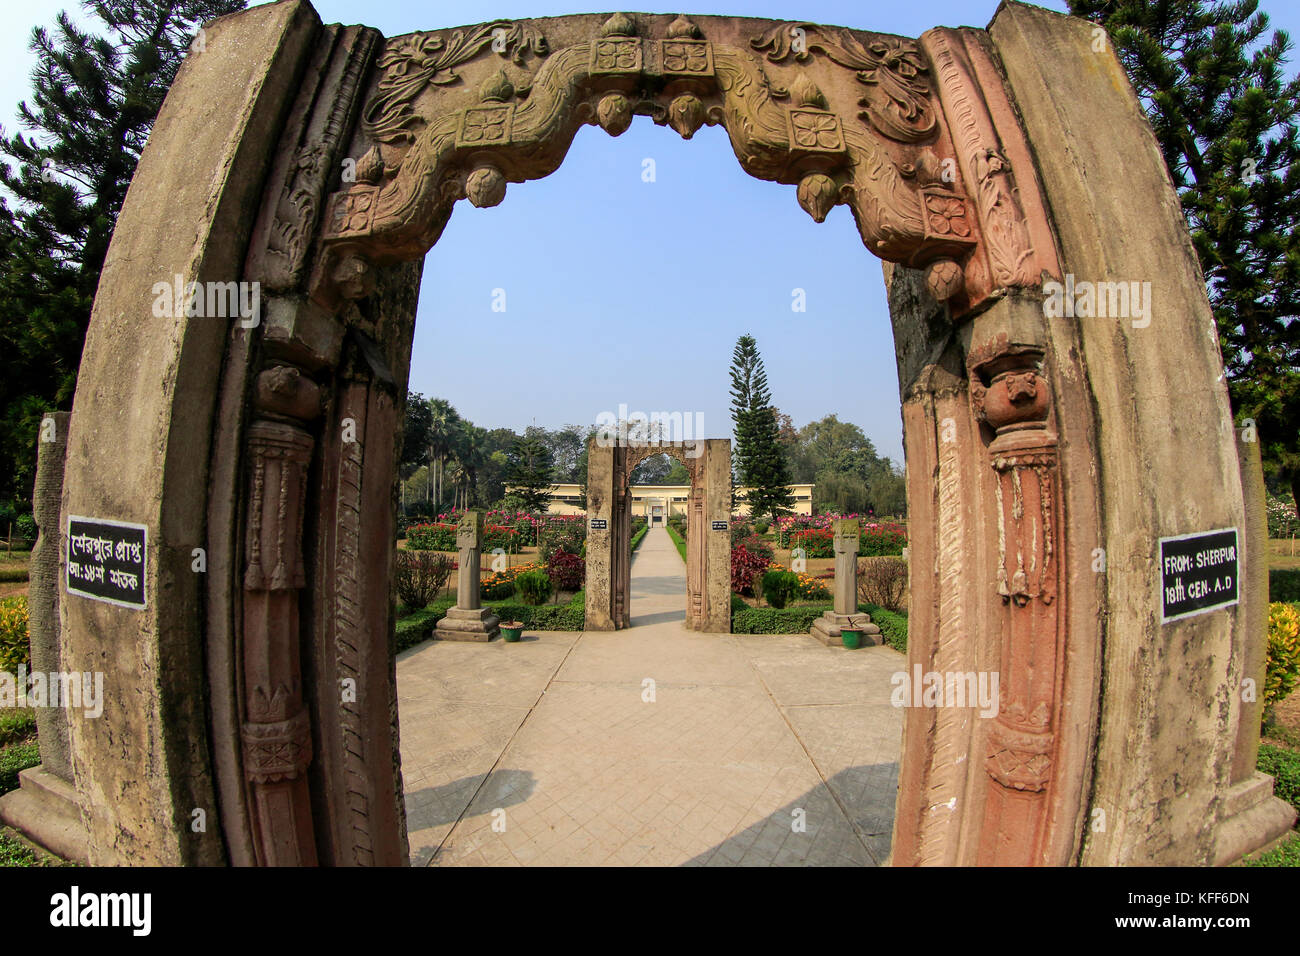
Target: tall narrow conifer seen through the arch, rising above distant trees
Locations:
point(760, 458)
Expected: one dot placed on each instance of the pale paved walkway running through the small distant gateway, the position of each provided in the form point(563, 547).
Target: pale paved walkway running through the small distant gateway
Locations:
point(655, 746)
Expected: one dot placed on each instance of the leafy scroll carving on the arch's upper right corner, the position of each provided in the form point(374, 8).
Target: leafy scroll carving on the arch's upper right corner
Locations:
point(895, 71)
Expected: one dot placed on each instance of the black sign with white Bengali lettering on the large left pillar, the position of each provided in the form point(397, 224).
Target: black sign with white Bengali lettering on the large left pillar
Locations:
point(106, 561)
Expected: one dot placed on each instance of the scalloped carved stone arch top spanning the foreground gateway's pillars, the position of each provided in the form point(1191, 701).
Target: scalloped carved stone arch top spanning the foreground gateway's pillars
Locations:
point(449, 120)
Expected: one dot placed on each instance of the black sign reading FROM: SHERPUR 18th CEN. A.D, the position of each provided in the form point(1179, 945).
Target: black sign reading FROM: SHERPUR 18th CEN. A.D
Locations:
point(1199, 573)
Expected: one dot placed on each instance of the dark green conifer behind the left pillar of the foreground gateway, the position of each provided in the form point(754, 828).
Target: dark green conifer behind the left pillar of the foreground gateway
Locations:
point(96, 96)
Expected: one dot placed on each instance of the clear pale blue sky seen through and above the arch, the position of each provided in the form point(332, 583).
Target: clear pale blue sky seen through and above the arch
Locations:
point(622, 292)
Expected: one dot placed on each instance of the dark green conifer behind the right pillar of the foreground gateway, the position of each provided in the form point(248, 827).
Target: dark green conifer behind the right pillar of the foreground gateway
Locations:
point(1225, 116)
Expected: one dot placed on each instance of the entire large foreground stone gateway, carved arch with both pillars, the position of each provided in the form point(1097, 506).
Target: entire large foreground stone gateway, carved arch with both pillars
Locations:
point(323, 162)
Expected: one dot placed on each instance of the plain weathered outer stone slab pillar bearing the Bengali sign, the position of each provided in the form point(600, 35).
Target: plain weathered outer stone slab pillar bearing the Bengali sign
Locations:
point(144, 426)
